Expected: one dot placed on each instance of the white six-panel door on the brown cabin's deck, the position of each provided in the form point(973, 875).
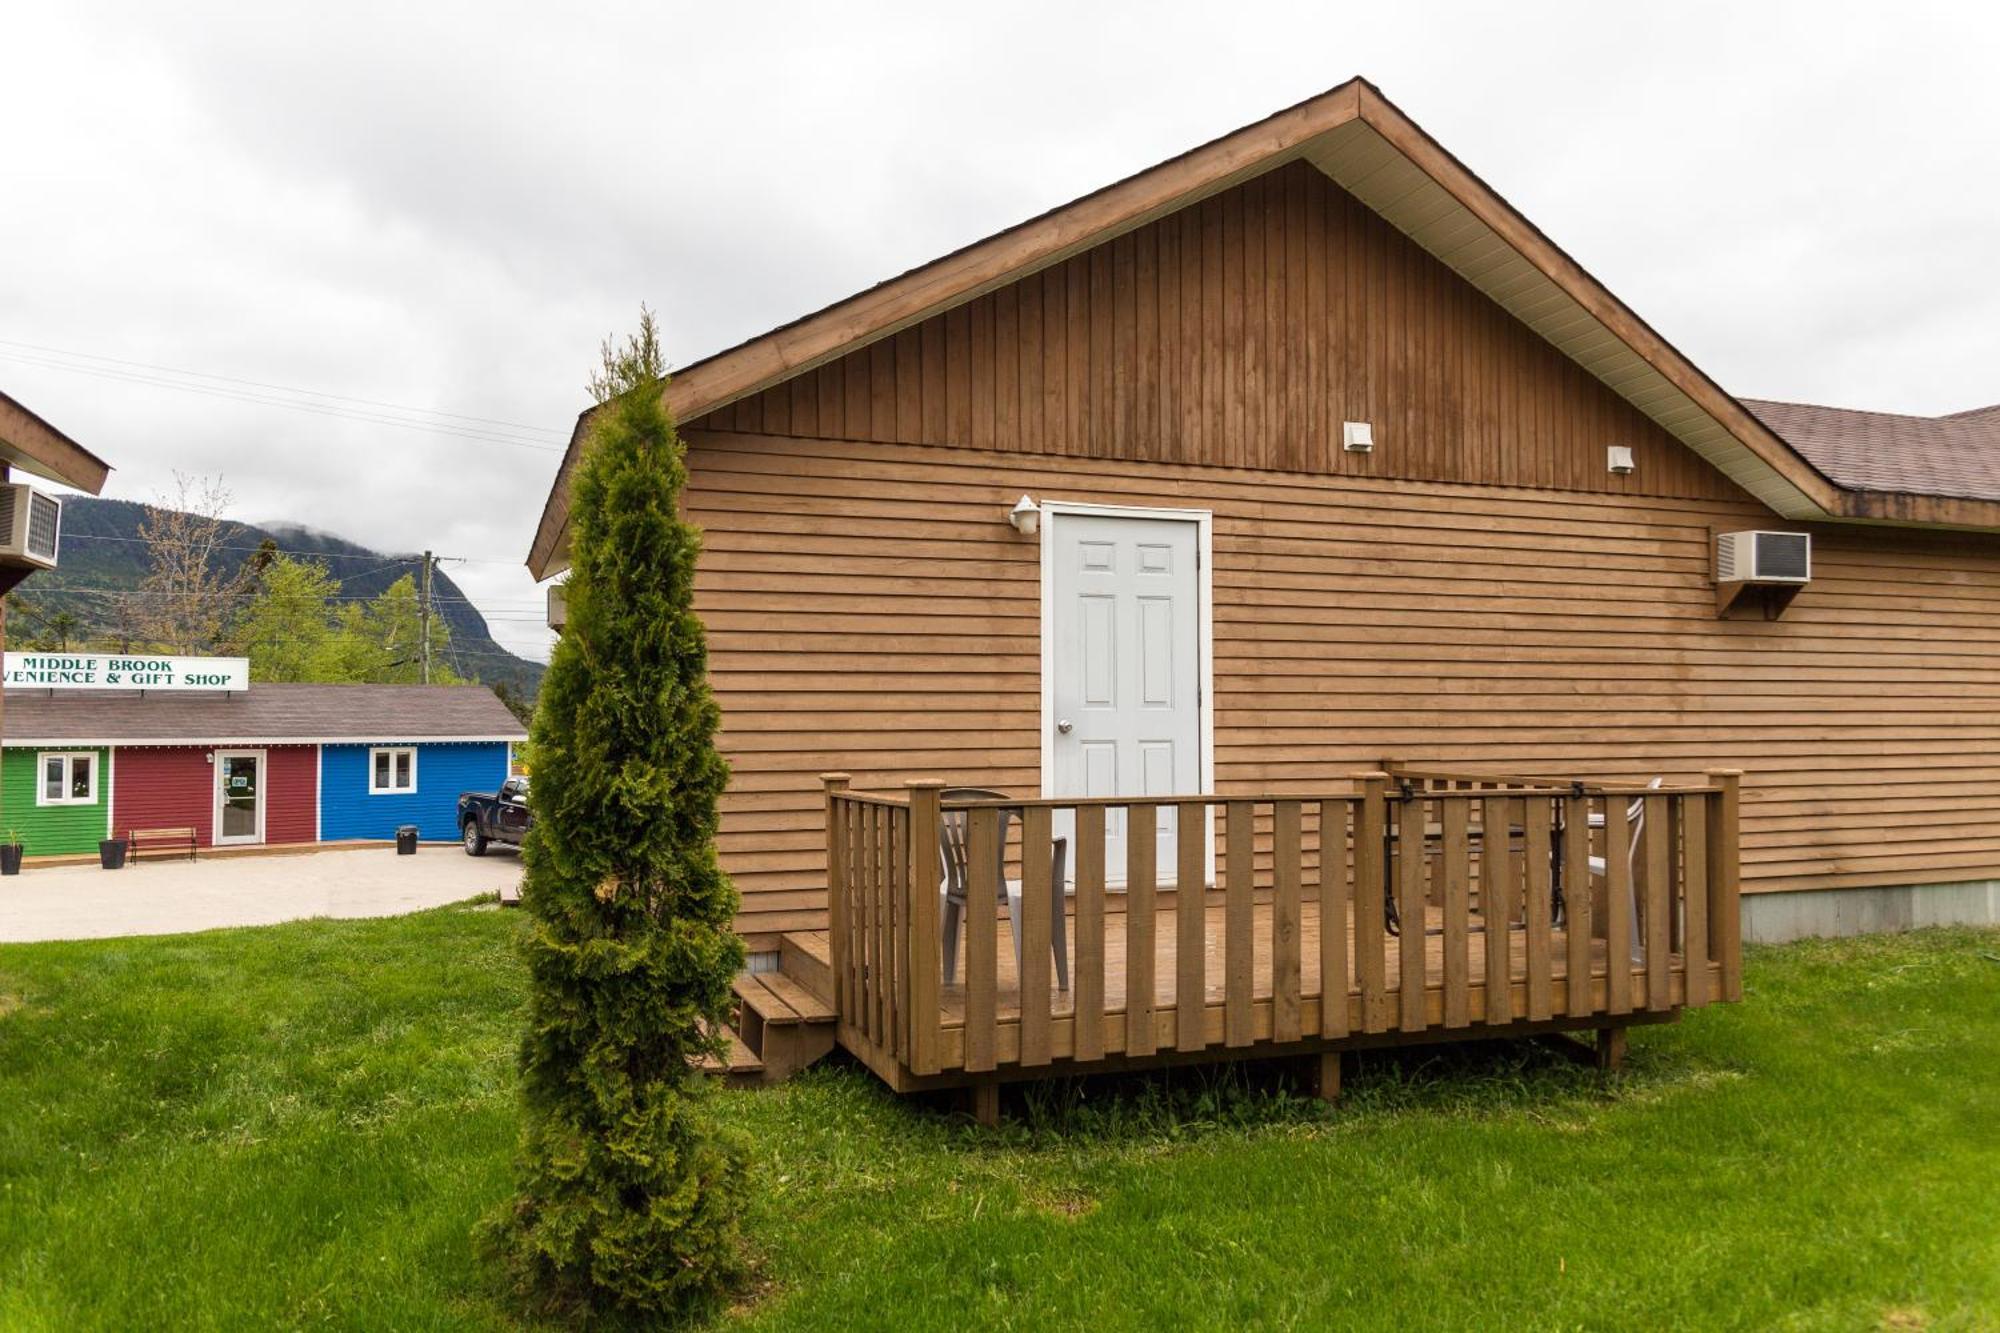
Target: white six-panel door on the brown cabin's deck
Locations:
point(1125, 696)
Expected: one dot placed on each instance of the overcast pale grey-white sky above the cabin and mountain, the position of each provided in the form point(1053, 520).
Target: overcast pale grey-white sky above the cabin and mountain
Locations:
point(445, 207)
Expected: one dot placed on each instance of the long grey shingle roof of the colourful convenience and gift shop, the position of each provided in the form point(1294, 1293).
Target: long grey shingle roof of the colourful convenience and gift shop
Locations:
point(261, 716)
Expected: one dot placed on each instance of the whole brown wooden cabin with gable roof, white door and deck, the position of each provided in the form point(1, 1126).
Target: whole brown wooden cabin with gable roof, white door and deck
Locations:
point(1297, 521)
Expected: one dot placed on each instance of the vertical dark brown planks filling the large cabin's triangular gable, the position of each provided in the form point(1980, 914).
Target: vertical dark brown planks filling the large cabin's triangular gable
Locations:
point(1243, 331)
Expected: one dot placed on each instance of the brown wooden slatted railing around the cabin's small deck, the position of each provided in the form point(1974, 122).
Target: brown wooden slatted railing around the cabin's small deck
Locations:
point(1503, 902)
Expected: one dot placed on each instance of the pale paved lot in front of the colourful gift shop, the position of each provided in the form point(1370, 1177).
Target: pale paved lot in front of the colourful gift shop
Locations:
point(169, 898)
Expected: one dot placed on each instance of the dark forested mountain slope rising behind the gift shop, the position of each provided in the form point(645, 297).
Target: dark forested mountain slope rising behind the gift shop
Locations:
point(105, 561)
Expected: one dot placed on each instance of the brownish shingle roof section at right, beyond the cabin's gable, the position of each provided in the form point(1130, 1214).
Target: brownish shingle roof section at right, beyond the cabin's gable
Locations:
point(1883, 451)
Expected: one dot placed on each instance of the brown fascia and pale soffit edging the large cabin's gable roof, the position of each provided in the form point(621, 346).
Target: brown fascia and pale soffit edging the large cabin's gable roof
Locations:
point(1381, 157)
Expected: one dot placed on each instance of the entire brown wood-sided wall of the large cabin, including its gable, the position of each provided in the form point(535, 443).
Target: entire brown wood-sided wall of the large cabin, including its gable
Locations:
point(1479, 591)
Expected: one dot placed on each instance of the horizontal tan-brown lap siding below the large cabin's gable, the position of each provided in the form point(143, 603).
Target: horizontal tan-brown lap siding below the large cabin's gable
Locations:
point(873, 611)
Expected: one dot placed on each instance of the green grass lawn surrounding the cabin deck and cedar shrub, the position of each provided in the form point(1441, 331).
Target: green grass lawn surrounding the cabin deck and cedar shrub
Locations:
point(301, 1126)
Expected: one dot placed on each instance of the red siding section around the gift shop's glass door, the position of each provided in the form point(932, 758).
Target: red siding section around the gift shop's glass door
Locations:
point(165, 788)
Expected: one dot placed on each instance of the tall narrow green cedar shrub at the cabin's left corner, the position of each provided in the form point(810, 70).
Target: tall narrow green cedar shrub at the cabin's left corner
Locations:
point(629, 1194)
